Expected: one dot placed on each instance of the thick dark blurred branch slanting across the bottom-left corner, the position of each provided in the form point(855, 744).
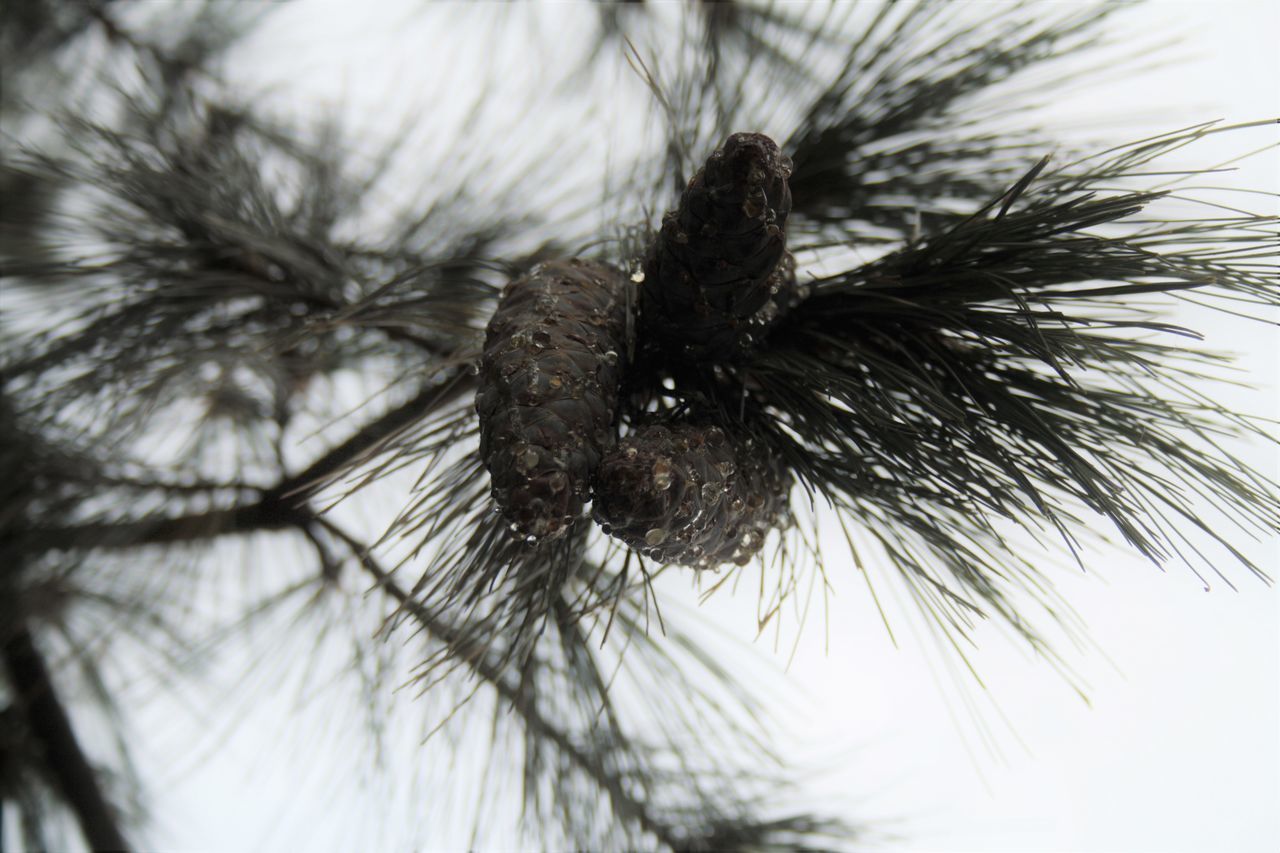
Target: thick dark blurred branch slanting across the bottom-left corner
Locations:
point(51, 727)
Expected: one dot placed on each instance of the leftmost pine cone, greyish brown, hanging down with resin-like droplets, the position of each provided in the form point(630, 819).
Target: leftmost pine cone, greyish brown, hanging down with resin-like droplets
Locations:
point(550, 377)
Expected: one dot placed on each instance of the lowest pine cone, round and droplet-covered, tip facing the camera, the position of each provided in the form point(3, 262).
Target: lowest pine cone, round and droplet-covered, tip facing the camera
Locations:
point(689, 495)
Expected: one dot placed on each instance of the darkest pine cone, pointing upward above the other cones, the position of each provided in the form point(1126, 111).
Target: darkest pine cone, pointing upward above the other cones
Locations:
point(719, 273)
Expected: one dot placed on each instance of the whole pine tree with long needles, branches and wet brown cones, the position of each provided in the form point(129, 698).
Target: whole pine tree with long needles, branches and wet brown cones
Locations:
point(835, 279)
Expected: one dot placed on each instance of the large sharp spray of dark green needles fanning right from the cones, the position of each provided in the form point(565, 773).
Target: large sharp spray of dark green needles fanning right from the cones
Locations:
point(993, 375)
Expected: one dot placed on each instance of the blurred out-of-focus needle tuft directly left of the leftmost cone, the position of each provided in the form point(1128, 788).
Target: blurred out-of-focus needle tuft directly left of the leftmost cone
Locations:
point(226, 288)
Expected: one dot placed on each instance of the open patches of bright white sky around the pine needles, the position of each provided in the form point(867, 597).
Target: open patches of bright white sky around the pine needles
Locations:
point(1180, 750)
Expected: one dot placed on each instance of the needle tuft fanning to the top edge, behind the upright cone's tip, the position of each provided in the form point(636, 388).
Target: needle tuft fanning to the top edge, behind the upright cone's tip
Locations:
point(907, 131)
